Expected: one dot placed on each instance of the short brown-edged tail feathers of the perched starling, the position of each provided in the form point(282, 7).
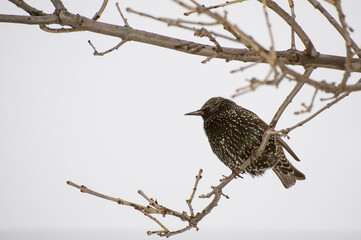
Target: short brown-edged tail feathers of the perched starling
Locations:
point(287, 173)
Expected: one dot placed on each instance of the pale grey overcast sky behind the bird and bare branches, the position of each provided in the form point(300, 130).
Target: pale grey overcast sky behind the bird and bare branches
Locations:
point(116, 124)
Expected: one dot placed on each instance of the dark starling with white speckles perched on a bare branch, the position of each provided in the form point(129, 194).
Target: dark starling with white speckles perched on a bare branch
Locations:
point(234, 133)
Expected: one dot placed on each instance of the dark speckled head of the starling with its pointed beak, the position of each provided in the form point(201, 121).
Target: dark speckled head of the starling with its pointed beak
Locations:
point(213, 106)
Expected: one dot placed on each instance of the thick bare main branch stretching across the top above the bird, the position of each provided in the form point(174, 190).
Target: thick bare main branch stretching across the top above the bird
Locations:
point(82, 23)
